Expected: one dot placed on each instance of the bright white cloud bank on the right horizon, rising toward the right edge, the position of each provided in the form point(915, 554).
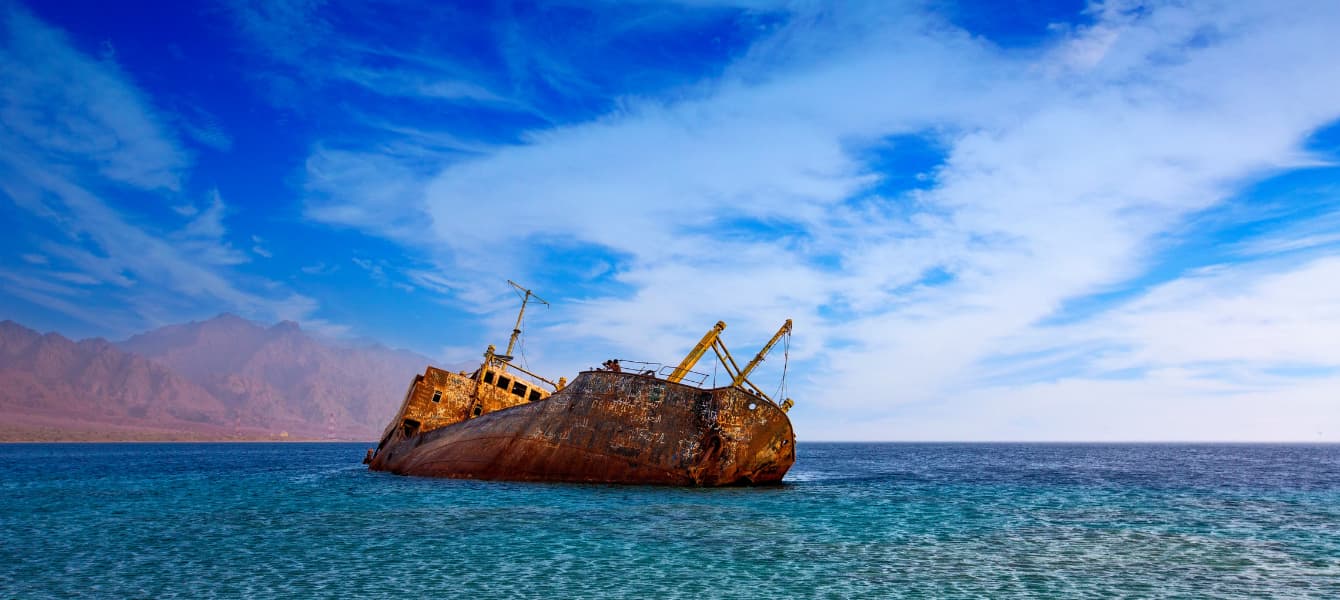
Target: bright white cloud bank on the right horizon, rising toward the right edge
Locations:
point(1209, 357)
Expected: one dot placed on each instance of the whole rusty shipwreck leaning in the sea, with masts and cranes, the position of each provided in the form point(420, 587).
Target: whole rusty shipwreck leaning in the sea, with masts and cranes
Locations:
point(626, 423)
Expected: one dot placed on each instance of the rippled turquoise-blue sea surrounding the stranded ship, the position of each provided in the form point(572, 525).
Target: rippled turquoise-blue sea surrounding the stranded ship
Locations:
point(893, 520)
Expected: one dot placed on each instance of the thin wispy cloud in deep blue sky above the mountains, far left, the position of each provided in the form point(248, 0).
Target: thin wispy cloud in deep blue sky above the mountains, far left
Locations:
point(89, 155)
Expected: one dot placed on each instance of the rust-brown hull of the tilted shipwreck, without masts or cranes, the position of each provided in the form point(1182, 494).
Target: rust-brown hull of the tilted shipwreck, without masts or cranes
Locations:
point(605, 427)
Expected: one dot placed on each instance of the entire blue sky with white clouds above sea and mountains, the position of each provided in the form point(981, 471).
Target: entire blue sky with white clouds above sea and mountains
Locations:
point(1016, 220)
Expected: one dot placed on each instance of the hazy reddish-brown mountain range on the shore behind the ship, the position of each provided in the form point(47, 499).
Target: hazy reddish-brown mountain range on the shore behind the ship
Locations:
point(224, 378)
